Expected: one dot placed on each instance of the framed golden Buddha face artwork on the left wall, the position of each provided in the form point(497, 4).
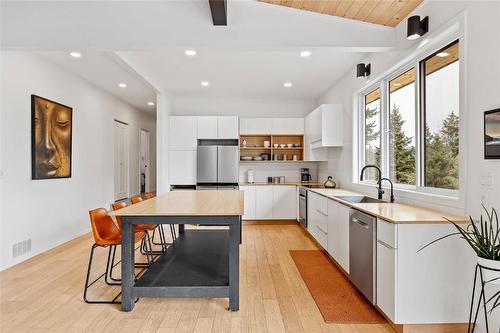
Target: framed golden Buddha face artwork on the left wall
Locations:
point(51, 131)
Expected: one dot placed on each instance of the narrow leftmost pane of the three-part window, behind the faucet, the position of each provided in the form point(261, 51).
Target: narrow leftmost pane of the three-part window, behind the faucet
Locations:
point(372, 131)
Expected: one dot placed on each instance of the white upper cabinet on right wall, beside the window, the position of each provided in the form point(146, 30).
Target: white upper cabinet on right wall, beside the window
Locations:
point(325, 126)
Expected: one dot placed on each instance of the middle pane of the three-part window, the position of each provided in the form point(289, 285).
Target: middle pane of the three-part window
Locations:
point(402, 162)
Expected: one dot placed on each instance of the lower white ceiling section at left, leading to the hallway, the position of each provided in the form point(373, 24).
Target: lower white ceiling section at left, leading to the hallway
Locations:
point(106, 71)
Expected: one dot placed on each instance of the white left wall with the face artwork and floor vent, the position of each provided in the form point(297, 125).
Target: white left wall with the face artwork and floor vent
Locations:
point(51, 212)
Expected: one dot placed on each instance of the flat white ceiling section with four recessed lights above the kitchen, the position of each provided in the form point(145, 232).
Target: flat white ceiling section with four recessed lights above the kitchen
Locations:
point(252, 73)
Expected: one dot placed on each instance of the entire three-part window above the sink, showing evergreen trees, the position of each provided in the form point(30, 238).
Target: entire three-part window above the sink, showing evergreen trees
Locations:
point(410, 124)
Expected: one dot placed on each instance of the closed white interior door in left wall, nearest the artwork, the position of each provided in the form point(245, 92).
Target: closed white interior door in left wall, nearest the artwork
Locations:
point(121, 160)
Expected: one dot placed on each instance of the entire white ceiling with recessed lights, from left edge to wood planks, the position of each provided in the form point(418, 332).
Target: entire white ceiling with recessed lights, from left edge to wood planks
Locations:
point(143, 43)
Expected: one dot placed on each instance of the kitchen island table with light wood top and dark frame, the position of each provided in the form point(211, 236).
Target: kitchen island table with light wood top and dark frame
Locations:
point(200, 263)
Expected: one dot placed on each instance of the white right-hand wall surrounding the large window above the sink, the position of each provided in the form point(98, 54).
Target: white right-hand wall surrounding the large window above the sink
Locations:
point(482, 82)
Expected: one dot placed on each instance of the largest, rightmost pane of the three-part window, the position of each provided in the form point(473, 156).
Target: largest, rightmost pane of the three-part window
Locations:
point(440, 91)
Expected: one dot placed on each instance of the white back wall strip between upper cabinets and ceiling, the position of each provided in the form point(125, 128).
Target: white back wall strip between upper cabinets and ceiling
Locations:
point(243, 107)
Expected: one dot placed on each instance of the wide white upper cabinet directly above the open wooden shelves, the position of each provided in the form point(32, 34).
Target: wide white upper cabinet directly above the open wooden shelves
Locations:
point(272, 126)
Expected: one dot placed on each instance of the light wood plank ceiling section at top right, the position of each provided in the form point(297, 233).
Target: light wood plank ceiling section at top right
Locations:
point(384, 12)
